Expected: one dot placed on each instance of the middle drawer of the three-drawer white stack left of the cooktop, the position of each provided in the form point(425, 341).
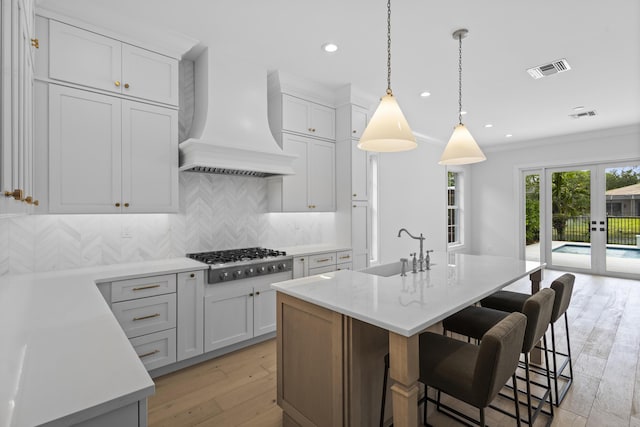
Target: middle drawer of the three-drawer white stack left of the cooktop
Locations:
point(146, 315)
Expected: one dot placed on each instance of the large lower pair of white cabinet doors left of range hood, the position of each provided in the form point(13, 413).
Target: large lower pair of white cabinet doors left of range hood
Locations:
point(108, 155)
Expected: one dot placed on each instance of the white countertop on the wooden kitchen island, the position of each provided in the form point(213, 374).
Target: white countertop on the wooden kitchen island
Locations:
point(407, 305)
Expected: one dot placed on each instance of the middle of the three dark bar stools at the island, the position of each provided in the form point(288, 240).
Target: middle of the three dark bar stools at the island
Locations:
point(474, 321)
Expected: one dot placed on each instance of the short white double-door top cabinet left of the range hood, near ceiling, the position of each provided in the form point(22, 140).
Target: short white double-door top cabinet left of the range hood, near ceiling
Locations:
point(85, 58)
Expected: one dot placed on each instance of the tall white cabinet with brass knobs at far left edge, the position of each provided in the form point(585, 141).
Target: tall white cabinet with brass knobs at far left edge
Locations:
point(17, 46)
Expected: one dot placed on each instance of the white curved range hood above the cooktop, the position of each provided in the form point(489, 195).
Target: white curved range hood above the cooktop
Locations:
point(230, 131)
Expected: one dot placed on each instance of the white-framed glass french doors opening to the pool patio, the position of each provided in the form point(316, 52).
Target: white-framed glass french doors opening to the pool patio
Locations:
point(584, 218)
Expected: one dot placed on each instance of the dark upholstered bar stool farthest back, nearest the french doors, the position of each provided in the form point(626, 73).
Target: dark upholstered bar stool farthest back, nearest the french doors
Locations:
point(514, 301)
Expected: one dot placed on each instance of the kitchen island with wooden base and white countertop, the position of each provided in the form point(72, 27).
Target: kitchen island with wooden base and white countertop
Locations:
point(335, 328)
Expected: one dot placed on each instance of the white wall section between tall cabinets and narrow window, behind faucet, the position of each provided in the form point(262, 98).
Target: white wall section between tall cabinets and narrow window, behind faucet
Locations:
point(413, 195)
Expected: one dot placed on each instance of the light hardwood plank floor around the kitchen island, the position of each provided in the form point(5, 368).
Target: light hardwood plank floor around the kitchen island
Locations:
point(239, 389)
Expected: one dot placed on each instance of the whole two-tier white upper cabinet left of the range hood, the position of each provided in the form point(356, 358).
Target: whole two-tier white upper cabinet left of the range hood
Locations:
point(108, 122)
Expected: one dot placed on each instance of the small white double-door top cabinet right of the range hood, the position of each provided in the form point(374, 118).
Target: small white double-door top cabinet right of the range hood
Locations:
point(308, 118)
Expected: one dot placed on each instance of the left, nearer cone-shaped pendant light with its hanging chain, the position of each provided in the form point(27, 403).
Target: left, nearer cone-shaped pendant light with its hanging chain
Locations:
point(388, 130)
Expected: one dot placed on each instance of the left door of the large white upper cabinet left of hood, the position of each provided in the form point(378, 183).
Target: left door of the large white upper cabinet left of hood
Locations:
point(84, 151)
